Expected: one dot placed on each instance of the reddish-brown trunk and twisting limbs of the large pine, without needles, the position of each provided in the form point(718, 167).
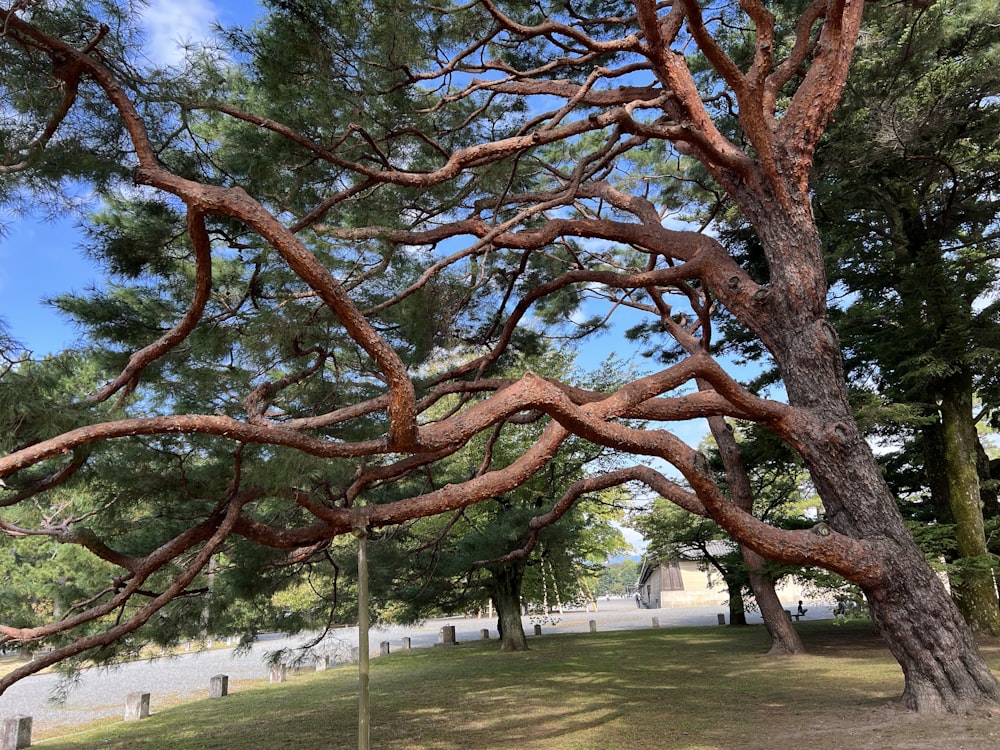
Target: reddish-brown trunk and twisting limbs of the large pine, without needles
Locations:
point(767, 181)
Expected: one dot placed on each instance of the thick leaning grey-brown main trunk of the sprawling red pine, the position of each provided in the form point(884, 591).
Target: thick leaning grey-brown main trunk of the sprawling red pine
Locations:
point(941, 663)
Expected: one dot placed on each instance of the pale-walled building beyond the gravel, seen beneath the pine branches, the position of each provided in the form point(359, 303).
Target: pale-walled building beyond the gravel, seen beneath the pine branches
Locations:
point(685, 581)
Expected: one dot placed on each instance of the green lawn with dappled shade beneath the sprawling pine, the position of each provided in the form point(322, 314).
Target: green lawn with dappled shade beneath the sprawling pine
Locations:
point(669, 689)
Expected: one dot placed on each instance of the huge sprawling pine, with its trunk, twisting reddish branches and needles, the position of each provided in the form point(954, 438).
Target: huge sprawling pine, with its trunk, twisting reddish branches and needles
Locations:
point(504, 152)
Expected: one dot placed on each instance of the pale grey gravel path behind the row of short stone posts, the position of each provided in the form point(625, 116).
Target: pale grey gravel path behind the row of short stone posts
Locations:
point(101, 693)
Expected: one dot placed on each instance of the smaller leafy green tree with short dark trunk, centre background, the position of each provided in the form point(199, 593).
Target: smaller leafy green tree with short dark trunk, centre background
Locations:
point(491, 549)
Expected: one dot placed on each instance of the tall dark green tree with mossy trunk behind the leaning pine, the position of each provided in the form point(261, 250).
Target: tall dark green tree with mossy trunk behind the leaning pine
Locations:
point(907, 201)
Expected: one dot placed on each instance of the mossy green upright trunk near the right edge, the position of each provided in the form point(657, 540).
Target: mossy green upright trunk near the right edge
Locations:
point(973, 587)
